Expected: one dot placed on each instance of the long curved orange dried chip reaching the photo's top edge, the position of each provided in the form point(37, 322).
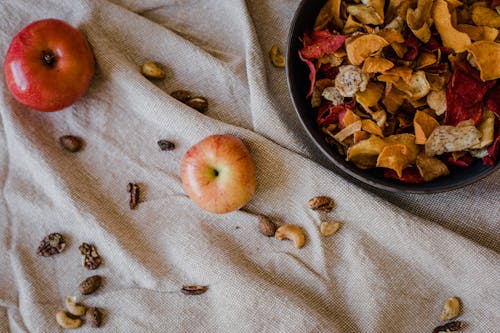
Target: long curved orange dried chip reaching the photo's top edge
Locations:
point(451, 37)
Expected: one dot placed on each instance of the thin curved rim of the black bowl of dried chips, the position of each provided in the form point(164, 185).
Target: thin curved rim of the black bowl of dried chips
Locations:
point(321, 144)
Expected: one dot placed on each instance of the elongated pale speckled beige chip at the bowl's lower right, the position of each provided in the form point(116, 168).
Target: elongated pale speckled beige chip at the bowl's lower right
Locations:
point(448, 139)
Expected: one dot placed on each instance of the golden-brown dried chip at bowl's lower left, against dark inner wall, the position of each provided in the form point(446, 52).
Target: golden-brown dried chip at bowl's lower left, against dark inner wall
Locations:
point(364, 153)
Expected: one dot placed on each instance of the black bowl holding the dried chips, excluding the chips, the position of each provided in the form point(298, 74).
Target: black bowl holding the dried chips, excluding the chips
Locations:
point(298, 85)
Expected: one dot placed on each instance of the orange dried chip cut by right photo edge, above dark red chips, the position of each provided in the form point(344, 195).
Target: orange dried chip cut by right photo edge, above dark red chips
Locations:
point(486, 55)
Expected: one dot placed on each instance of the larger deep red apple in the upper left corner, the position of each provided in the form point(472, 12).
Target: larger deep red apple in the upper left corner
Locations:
point(49, 65)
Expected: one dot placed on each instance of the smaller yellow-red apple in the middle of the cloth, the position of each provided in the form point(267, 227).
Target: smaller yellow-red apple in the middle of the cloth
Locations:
point(218, 173)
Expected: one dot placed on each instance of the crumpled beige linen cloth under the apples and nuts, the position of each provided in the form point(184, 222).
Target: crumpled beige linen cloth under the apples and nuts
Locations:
point(389, 269)
